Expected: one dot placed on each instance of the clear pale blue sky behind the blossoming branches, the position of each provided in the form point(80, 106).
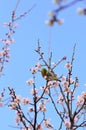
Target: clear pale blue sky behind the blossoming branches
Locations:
point(31, 28)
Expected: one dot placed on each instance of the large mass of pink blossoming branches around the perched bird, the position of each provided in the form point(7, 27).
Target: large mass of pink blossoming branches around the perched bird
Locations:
point(58, 93)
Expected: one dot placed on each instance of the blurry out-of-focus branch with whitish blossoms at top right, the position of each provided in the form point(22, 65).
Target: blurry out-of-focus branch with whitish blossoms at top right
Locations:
point(61, 5)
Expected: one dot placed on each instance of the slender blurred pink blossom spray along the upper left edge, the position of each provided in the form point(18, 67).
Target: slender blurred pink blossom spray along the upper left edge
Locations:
point(5, 50)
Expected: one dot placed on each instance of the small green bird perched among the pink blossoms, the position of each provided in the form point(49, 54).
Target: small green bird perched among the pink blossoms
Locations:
point(48, 75)
